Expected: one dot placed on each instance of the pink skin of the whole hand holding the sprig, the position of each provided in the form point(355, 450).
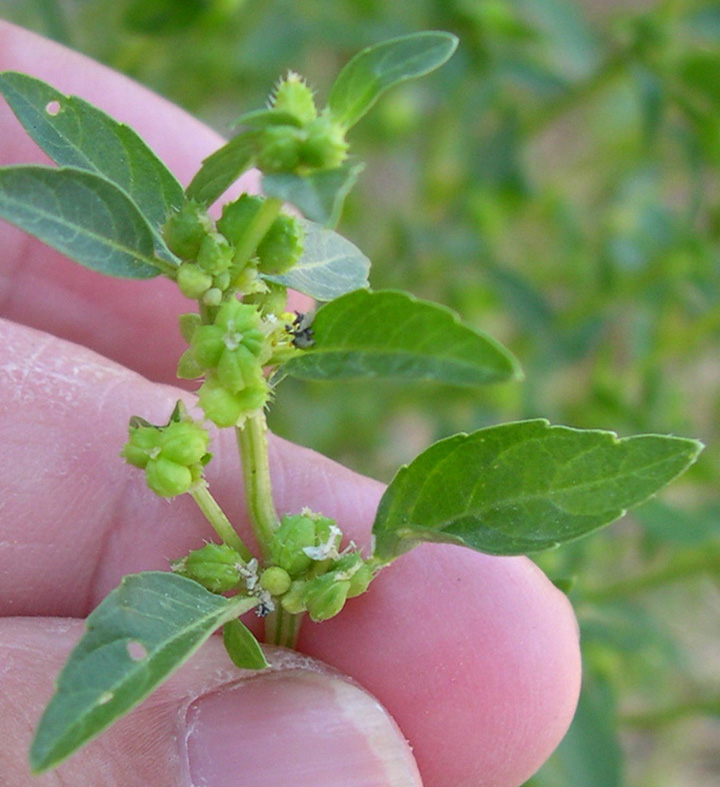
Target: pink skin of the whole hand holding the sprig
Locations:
point(476, 658)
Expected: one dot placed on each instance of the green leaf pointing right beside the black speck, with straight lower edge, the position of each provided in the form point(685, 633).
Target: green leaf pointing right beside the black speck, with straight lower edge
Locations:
point(392, 334)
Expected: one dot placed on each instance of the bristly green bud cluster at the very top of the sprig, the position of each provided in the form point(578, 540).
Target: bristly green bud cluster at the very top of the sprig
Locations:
point(300, 140)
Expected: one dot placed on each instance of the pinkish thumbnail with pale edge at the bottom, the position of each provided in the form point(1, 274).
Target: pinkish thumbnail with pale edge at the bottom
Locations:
point(296, 727)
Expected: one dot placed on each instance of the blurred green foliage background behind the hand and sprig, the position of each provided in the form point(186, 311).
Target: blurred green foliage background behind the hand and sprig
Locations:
point(557, 184)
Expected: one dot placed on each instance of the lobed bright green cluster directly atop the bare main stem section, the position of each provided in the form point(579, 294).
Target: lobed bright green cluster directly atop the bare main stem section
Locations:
point(230, 353)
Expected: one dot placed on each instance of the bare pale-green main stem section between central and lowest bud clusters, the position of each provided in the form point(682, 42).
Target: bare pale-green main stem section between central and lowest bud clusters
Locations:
point(253, 445)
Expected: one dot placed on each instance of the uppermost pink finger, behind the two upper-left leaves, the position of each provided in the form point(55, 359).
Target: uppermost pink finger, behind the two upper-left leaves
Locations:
point(133, 322)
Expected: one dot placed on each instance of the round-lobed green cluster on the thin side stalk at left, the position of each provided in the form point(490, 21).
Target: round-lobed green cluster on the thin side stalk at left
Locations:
point(172, 456)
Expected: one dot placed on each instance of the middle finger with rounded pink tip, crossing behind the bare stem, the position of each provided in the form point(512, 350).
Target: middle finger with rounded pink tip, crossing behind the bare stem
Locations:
point(478, 653)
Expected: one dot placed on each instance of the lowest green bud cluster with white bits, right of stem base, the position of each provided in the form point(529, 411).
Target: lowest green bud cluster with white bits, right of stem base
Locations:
point(309, 573)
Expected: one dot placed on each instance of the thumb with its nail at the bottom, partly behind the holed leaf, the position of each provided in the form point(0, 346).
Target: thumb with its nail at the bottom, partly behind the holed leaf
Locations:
point(297, 723)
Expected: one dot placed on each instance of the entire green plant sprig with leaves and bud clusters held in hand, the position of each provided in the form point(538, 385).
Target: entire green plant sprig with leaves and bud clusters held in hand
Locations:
point(113, 206)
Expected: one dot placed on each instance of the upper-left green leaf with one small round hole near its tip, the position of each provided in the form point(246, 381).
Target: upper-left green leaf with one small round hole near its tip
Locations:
point(77, 134)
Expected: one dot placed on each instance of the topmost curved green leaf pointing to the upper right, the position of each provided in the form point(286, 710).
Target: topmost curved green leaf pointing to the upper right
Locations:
point(375, 69)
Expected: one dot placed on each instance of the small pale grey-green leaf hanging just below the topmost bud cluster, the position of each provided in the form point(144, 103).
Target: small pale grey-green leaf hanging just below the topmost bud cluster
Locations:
point(318, 196)
